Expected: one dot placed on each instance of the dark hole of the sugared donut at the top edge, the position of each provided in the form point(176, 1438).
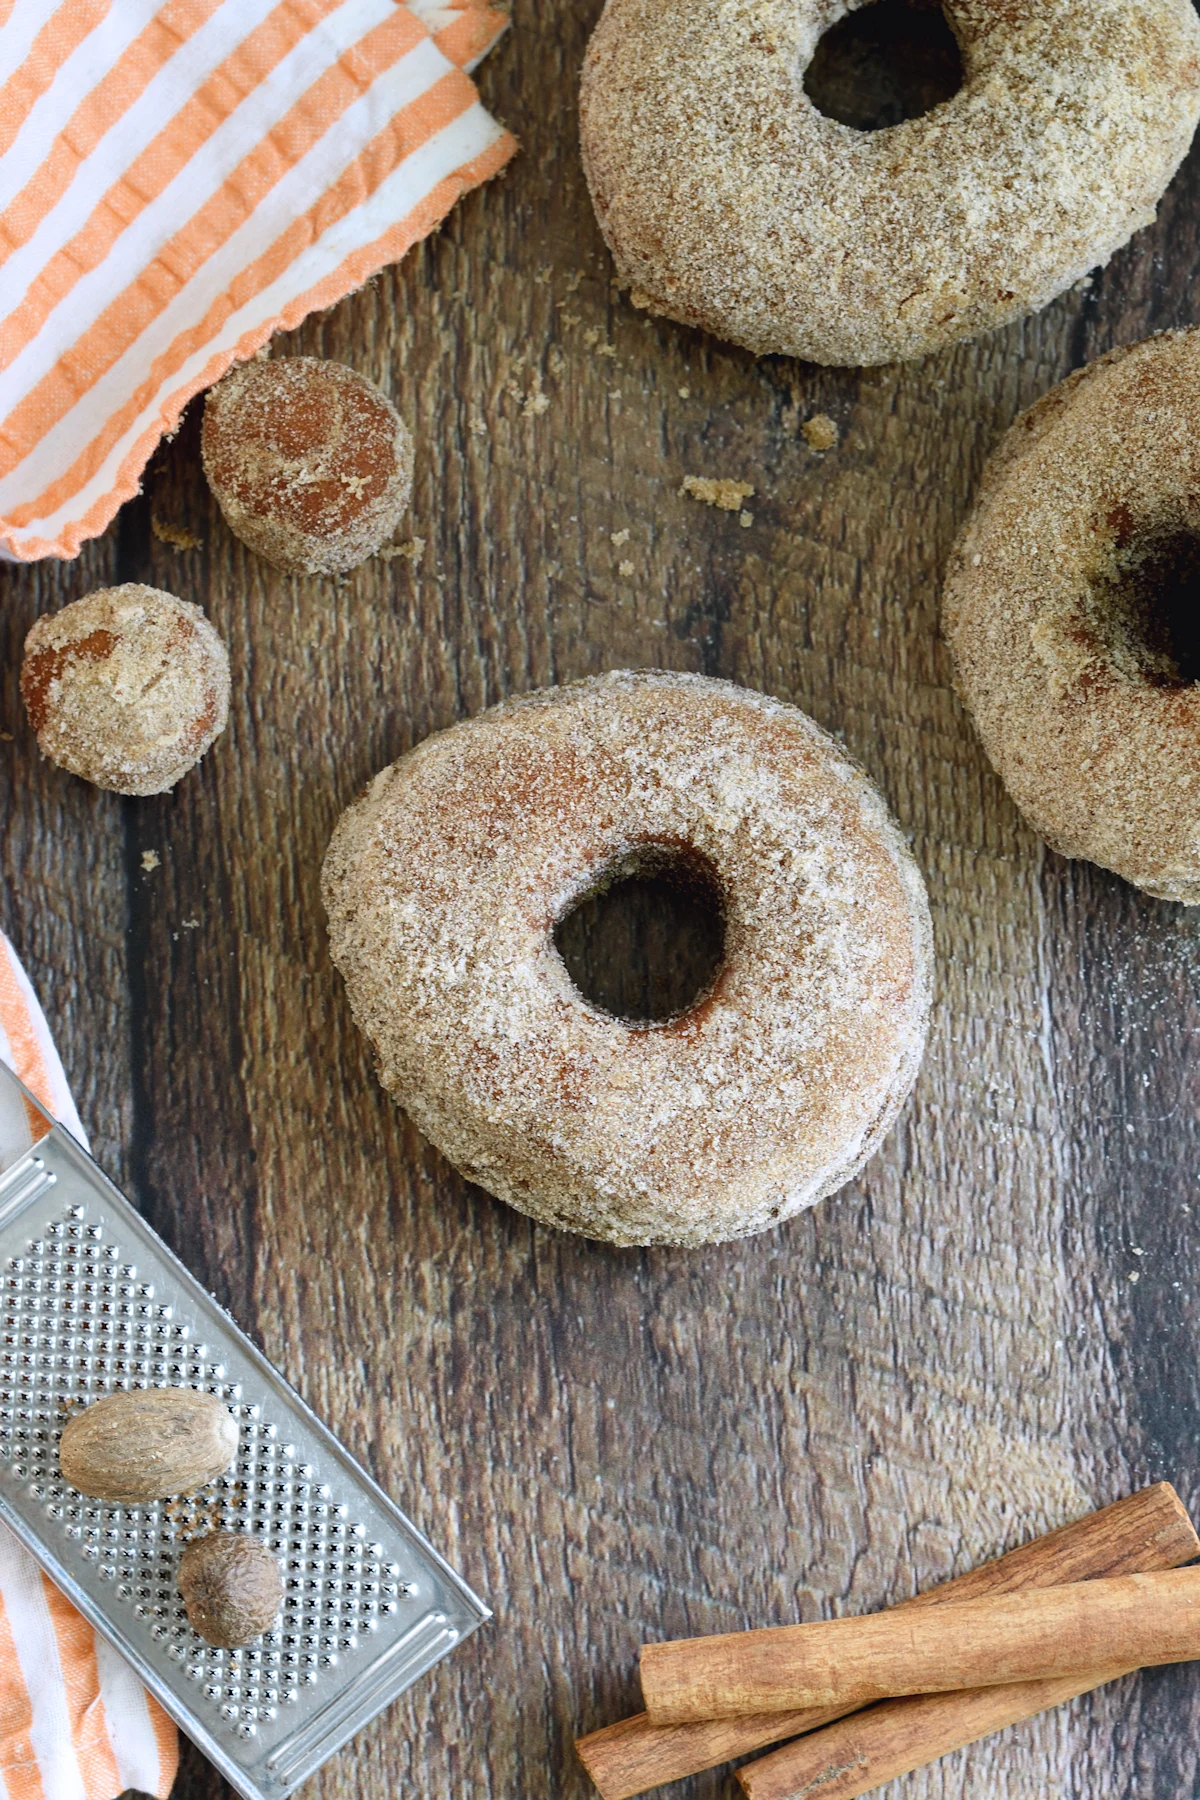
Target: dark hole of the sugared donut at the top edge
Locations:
point(884, 64)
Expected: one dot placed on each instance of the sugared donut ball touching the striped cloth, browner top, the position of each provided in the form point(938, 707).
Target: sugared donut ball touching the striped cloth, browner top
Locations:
point(309, 462)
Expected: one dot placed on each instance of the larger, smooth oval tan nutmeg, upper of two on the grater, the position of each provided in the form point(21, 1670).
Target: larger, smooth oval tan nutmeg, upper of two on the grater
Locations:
point(148, 1444)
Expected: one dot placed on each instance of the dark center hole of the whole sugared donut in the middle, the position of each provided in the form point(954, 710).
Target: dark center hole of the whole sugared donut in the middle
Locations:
point(647, 942)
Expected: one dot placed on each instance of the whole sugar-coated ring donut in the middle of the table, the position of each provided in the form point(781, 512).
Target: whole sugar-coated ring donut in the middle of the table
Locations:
point(445, 885)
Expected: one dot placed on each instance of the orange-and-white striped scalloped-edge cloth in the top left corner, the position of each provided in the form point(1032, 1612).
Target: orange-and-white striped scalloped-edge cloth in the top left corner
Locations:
point(181, 179)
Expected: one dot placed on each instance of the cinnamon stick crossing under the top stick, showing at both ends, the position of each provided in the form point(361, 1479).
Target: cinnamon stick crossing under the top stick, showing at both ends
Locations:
point(1147, 1531)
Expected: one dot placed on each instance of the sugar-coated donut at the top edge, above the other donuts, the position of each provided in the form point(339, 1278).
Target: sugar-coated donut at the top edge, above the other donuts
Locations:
point(733, 204)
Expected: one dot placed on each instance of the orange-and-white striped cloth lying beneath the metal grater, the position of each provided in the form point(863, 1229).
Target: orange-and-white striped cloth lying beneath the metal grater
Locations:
point(75, 1720)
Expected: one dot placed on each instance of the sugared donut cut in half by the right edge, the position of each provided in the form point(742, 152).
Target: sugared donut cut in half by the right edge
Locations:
point(1073, 615)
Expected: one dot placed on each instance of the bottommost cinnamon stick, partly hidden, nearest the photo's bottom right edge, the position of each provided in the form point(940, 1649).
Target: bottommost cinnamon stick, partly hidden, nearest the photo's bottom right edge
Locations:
point(899, 1736)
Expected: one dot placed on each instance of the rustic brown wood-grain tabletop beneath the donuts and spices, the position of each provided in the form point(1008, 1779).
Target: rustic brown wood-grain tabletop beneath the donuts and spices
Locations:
point(987, 1335)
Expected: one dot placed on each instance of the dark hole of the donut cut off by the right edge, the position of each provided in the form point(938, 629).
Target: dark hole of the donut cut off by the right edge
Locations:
point(1149, 613)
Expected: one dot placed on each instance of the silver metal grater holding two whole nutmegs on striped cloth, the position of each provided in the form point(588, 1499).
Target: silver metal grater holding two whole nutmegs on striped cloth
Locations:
point(91, 1300)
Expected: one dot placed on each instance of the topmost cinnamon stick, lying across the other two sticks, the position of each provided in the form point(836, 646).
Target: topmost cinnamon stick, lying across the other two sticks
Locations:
point(1125, 1623)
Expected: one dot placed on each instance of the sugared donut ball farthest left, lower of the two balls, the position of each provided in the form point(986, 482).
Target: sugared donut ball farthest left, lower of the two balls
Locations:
point(127, 688)
